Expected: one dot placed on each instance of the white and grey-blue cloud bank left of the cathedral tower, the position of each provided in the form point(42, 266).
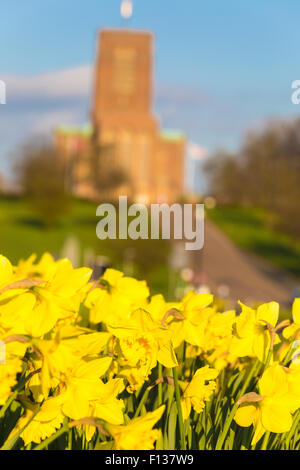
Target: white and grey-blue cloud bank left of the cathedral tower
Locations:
point(37, 104)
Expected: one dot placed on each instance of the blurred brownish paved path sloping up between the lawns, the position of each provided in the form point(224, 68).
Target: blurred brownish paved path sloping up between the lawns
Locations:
point(248, 278)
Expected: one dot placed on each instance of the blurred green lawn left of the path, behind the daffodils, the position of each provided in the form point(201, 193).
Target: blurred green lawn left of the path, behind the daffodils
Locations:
point(21, 234)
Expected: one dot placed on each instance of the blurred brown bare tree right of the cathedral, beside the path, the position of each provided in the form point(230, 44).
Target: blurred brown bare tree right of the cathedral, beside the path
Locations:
point(265, 173)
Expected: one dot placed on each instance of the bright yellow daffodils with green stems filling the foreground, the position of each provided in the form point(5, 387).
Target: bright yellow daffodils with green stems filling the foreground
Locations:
point(103, 365)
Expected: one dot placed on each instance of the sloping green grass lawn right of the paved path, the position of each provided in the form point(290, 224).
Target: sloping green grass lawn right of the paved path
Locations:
point(249, 230)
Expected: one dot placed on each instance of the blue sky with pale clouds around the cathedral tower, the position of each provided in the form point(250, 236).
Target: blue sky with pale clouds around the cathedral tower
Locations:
point(221, 67)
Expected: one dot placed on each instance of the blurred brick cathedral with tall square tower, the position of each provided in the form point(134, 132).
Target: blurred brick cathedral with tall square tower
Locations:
point(123, 125)
